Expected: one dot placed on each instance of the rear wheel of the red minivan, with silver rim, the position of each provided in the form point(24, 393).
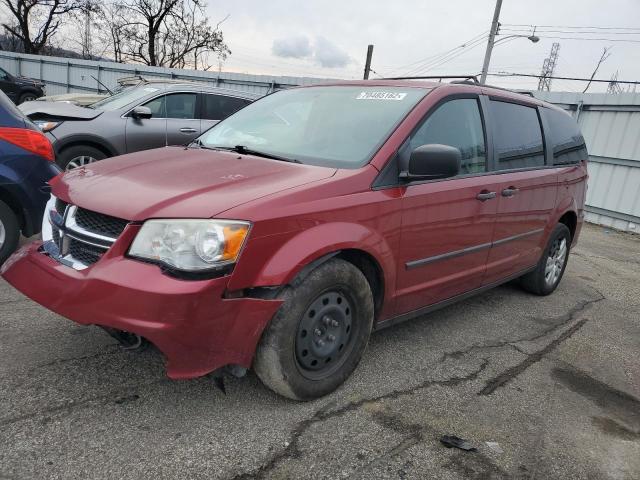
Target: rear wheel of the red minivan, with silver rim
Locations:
point(537, 281)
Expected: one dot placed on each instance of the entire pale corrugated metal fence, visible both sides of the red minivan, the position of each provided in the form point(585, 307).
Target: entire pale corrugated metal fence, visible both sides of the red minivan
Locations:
point(610, 123)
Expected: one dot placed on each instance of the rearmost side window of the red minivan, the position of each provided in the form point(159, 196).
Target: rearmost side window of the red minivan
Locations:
point(567, 141)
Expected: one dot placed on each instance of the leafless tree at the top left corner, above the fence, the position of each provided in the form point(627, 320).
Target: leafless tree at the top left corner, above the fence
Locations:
point(34, 22)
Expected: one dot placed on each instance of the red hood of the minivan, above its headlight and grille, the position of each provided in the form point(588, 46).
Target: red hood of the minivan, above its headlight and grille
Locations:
point(176, 182)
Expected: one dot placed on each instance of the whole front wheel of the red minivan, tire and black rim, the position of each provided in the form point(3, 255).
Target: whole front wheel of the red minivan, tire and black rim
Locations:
point(278, 361)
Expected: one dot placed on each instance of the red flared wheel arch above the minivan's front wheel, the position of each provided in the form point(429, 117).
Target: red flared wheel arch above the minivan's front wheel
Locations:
point(307, 246)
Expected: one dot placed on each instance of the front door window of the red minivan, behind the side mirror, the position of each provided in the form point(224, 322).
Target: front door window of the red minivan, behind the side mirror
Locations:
point(456, 123)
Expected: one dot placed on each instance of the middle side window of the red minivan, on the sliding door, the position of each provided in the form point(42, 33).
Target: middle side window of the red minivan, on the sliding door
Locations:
point(518, 137)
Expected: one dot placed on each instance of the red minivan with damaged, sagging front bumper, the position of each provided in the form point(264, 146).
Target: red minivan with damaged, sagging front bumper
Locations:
point(283, 235)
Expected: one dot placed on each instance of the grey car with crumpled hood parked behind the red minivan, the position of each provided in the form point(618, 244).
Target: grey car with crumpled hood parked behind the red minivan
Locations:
point(138, 118)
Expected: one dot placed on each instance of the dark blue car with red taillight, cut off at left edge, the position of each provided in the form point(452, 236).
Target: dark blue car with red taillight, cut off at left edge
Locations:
point(27, 163)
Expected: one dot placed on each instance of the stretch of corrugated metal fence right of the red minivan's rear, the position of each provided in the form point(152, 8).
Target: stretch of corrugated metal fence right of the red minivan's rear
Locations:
point(611, 127)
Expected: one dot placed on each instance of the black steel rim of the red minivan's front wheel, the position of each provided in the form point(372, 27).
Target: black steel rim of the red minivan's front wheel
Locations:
point(325, 334)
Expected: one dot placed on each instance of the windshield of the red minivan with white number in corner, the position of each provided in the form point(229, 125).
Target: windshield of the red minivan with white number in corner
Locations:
point(333, 126)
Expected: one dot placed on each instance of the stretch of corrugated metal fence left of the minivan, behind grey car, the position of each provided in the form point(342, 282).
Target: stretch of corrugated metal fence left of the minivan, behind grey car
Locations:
point(74, 75)
